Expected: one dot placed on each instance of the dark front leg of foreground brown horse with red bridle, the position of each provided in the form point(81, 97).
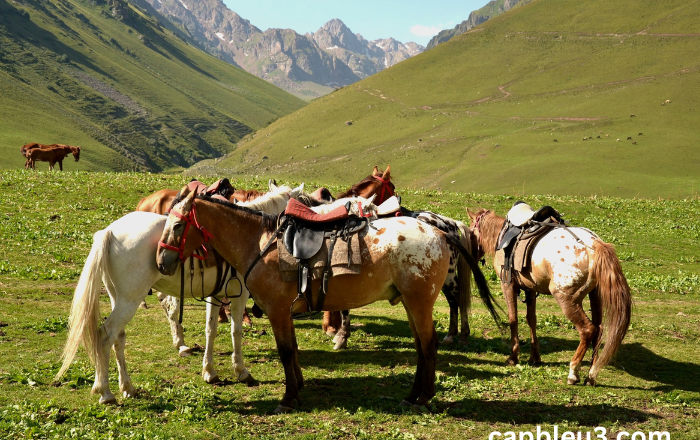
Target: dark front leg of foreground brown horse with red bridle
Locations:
point(283, 329)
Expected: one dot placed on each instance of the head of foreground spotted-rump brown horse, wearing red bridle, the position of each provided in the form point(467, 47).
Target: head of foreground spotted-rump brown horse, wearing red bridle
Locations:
point(176, 244)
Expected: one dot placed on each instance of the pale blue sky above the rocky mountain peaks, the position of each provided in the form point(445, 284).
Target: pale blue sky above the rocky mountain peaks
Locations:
point(406, 20)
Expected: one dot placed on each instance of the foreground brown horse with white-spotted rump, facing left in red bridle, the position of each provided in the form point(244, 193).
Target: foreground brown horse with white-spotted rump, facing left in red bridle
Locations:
point(404, 262)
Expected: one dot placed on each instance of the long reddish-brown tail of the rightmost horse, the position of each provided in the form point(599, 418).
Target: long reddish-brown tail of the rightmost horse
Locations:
point(615, 301)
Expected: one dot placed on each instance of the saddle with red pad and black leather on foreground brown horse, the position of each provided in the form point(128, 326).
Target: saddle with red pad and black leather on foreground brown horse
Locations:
point(304, 233)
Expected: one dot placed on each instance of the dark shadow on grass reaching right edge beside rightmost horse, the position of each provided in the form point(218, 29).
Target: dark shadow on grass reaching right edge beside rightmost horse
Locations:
point(641, 362)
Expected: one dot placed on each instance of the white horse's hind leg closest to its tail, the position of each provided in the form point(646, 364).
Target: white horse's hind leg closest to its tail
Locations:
point(122, 312)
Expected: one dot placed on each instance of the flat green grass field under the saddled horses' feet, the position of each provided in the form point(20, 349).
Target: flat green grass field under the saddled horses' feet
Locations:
point(46, 226)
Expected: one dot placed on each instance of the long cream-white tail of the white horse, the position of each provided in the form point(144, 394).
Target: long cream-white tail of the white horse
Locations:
point(84, 321)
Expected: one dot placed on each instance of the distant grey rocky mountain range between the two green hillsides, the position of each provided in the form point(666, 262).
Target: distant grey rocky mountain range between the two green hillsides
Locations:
point(308, 65)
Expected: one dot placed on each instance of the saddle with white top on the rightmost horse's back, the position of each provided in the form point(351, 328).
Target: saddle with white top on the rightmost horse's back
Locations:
point(521, 231)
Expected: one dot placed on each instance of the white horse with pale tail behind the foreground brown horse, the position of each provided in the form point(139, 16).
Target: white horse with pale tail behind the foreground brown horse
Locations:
point(123, 258)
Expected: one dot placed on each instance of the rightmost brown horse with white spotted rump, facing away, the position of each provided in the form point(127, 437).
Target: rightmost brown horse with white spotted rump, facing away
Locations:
point(569, 270)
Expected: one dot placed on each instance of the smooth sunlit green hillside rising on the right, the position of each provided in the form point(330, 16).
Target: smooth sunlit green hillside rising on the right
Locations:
point(506, 107)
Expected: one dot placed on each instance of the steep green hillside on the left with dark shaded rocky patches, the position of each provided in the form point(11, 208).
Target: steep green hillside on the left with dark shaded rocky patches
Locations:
point(123, 83)
